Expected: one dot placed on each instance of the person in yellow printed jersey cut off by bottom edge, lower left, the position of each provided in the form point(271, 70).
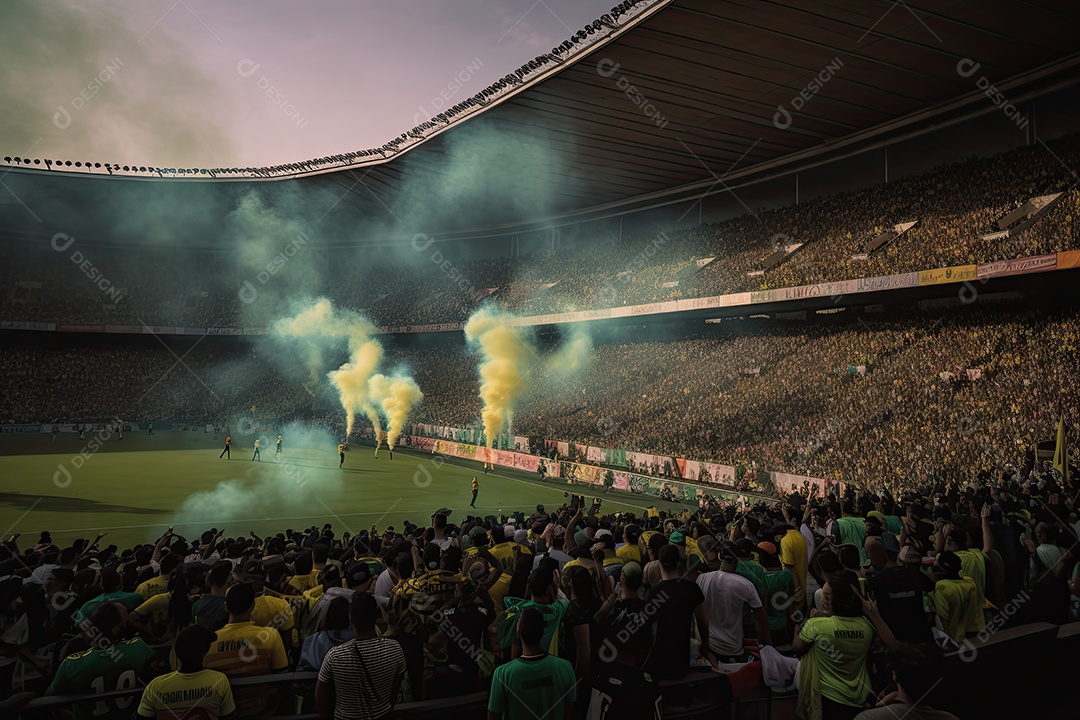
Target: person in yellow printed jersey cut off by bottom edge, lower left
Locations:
point(192, 691)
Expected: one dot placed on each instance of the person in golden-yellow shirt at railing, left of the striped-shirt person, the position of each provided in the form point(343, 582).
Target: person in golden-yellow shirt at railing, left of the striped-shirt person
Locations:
point(244, 649)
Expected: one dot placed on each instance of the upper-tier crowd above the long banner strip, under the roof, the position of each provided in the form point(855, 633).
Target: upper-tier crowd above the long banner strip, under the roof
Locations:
point(957, 208)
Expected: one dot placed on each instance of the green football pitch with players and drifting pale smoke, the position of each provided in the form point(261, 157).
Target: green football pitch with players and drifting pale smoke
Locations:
point(136, 488)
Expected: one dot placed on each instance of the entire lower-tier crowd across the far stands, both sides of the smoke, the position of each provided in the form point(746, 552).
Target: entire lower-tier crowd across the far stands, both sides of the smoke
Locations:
point(771, 397)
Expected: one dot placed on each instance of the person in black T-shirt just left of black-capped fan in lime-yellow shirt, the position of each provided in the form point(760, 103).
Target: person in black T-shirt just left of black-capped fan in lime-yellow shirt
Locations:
point(899, 590)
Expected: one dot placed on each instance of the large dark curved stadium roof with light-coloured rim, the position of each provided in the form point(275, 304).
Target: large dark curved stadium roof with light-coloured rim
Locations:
point(674, 99)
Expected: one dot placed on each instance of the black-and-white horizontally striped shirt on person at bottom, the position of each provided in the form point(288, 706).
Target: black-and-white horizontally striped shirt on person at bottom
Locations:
point(362, 674)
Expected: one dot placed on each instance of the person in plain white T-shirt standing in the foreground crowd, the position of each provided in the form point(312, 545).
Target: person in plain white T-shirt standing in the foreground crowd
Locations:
point(726, 594)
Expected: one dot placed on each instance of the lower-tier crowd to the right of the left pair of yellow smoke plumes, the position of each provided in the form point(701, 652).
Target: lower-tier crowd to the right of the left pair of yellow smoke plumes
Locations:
point(807, 412)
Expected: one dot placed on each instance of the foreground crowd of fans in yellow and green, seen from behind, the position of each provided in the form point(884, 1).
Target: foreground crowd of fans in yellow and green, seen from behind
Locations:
point(860, 596)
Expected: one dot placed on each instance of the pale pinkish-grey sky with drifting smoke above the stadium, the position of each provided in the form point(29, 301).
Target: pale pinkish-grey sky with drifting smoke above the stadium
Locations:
point(212, 83)
